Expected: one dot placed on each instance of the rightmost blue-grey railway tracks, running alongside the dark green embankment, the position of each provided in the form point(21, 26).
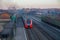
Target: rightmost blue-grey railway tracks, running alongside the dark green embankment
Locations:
point(51, 31)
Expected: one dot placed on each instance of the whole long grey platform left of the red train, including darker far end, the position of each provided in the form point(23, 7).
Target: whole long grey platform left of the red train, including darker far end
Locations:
point(20, 31)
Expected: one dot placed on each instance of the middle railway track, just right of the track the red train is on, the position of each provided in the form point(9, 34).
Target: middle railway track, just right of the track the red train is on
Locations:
point(42, 33)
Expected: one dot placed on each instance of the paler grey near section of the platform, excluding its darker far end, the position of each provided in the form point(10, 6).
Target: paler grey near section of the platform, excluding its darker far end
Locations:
point(20, 34)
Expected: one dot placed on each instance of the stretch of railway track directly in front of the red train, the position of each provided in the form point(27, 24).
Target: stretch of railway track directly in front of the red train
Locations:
point(31, 35)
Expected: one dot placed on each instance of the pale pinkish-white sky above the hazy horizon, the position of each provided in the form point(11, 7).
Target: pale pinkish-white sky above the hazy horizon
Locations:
point(4, 4)
